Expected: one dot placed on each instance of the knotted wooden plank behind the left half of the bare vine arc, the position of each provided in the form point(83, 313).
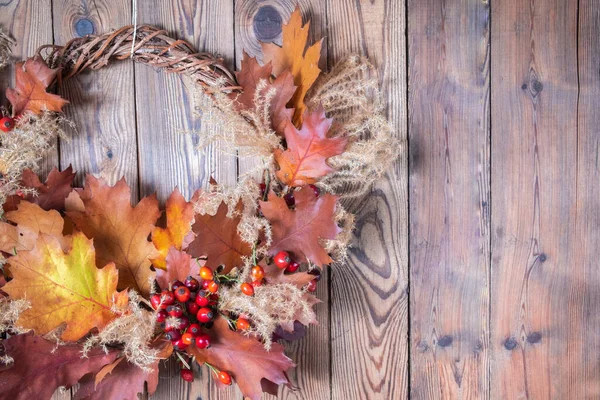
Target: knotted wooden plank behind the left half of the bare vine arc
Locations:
point(104, 141)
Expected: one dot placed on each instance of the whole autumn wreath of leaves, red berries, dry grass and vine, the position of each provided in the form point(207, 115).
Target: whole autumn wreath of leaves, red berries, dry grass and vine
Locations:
point(95, 291)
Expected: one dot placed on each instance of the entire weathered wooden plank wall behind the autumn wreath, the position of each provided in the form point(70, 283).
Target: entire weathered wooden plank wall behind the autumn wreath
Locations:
point(475, 273)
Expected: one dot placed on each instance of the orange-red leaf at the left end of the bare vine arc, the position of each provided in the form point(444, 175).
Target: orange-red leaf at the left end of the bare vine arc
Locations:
point(32, 79)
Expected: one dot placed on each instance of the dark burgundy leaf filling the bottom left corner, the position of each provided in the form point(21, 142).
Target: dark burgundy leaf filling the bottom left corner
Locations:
point(40, 366)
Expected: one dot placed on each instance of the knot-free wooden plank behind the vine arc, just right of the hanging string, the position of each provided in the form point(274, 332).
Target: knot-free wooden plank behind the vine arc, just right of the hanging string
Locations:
point(165, 107)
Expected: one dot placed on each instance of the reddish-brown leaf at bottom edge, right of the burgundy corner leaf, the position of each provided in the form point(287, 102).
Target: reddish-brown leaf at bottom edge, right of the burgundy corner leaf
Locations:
point(124, 382)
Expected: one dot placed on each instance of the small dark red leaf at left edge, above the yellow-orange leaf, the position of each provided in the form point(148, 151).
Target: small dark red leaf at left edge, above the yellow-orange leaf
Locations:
point(50, 195)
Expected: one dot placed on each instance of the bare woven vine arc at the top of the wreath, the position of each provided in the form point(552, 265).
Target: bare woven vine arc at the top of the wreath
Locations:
point(146, 44)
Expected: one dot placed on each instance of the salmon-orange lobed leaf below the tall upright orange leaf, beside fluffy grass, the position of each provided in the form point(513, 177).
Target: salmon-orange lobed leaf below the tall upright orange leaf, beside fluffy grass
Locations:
point(305, 159)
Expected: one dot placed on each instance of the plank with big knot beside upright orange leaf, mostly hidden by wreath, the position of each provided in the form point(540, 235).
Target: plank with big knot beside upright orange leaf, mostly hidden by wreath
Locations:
point(261, 20)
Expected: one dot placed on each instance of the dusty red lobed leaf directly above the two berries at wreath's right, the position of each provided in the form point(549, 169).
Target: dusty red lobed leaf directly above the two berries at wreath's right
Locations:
point(300, 230)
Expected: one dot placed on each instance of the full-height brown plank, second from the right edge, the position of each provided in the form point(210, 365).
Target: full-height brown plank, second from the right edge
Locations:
point(449, 197)
